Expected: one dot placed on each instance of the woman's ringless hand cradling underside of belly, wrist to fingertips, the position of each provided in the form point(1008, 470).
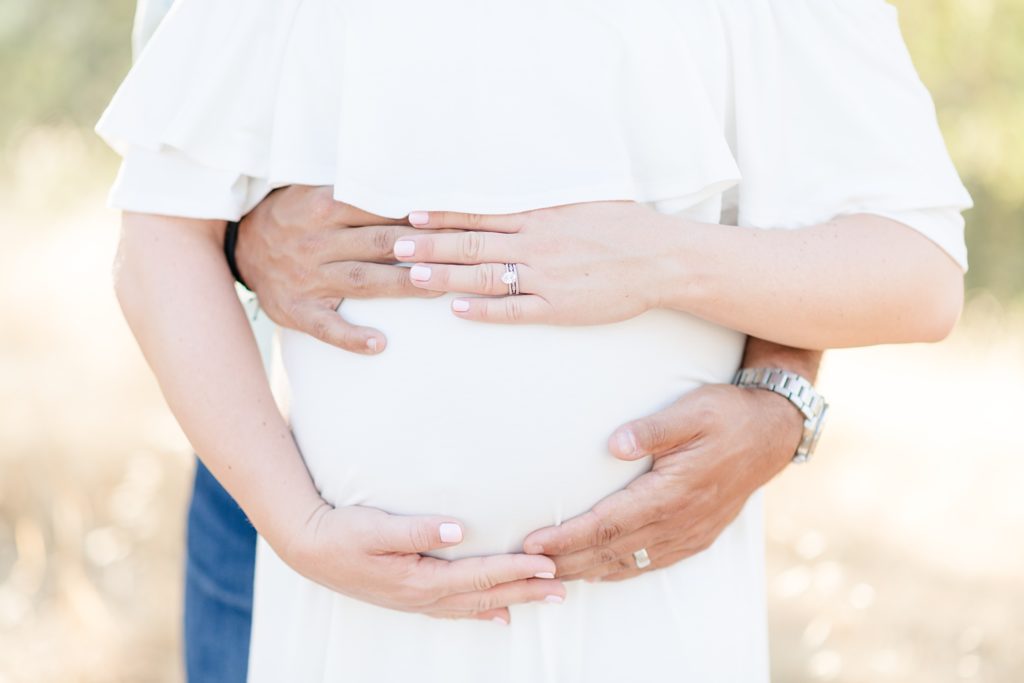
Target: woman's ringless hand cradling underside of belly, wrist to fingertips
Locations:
point(375, 558)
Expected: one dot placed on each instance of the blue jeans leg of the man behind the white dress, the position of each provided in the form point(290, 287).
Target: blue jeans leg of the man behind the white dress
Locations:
point(222, 554)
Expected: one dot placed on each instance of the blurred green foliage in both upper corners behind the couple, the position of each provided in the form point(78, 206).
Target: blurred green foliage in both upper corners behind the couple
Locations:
point(60, 63)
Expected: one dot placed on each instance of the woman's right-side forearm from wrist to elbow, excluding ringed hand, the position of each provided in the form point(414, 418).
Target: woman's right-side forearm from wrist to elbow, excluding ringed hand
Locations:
point(856, 281)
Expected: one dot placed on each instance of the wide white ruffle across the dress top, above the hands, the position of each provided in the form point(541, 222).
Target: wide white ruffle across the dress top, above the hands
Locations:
point(793, 112)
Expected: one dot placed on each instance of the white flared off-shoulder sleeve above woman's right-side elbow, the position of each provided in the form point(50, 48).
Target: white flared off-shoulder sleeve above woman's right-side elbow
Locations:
point(832, 119)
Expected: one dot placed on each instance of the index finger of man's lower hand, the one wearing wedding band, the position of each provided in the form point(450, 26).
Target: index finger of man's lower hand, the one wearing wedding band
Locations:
point(619, 515)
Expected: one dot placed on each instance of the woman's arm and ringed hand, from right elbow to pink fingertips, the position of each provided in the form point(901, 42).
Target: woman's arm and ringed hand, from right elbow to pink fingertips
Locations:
point(856, 281)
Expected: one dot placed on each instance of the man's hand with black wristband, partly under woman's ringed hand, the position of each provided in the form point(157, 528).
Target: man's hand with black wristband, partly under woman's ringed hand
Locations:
point(303, 253)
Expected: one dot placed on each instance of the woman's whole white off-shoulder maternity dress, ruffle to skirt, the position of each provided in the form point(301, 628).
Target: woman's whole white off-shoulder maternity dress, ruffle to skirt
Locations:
point(771, 114)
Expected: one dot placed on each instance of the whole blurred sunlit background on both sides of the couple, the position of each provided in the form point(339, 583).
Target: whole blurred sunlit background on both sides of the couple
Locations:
point(899, 556)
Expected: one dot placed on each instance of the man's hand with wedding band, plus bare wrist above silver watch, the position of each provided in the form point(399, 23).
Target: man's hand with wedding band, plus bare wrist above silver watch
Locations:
point(713, 449)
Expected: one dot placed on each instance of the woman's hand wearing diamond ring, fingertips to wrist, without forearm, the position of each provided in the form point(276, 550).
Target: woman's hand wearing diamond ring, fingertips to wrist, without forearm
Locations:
point(578, 265)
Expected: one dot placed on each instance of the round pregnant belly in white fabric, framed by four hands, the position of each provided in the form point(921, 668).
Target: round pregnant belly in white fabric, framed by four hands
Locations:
point(503, 428)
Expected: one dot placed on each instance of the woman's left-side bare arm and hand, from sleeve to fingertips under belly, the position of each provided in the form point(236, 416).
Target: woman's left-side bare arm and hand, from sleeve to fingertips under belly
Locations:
point(179, 296)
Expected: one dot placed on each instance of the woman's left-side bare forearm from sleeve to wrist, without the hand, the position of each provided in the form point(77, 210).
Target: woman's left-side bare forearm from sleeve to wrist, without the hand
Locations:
point(178, 295)
